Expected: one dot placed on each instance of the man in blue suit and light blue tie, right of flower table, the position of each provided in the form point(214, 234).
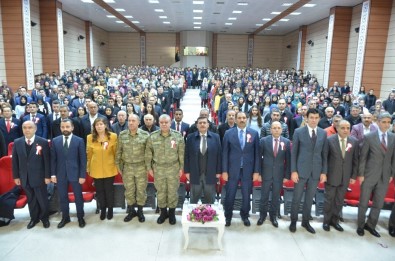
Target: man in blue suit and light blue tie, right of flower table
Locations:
point(240, 162)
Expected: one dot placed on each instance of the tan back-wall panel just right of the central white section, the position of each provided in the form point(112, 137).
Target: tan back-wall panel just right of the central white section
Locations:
point(232, 50)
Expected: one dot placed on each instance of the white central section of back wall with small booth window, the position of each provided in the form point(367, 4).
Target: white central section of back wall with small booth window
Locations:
point(196, 39)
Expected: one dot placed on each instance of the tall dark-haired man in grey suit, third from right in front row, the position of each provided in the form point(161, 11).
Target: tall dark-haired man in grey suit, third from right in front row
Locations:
point(308, 167)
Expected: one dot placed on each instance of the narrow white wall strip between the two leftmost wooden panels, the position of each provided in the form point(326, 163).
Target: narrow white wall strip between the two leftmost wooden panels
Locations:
point(36, 37)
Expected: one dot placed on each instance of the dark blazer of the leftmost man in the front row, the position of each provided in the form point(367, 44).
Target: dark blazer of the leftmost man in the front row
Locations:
point(35, 166)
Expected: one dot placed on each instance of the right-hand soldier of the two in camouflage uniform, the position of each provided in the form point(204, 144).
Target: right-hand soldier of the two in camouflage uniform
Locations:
point(165, 159)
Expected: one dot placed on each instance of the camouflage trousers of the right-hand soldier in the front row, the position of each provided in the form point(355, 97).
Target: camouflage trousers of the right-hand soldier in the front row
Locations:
point(166, 183)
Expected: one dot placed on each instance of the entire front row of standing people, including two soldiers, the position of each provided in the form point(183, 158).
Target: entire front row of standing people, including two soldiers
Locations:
point(243, 159)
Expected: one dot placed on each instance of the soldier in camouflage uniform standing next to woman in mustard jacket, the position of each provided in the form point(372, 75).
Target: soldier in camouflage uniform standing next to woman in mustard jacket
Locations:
point(130, 161)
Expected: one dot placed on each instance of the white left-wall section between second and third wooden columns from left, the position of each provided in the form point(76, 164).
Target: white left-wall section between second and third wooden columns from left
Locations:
point(74, 50)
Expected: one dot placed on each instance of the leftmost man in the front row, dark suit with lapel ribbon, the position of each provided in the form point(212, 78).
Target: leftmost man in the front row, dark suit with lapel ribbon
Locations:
point(31, 169)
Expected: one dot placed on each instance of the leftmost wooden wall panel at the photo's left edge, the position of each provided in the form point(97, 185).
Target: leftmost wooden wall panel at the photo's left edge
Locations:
point(11, 13)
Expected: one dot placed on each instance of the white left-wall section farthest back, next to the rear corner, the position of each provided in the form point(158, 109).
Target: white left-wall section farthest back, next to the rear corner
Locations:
point(100, 52)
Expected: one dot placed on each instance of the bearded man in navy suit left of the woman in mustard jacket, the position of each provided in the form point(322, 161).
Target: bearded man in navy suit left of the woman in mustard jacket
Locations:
point(68, 166)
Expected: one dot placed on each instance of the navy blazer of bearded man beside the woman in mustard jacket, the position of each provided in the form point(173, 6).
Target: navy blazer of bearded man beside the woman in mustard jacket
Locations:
point(70, 165)
